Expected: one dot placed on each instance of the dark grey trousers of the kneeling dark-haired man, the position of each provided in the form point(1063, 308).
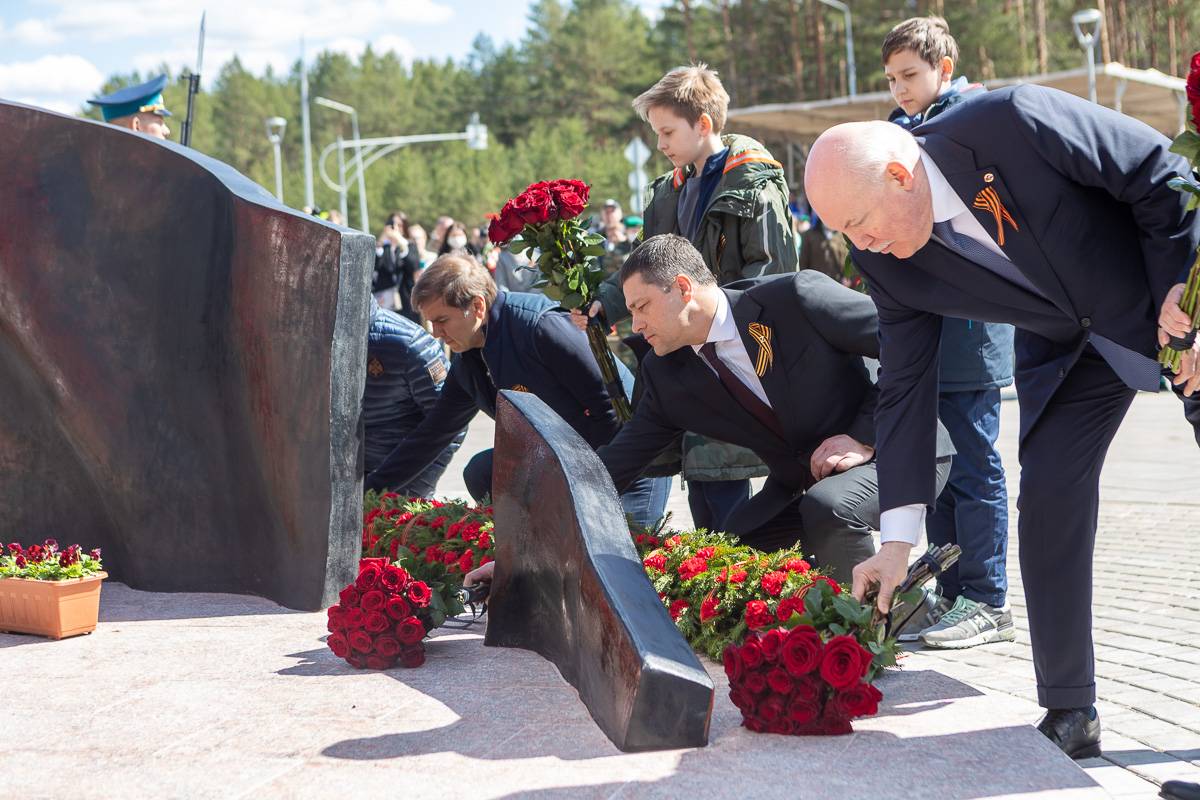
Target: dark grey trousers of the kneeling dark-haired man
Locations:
point(832, 522)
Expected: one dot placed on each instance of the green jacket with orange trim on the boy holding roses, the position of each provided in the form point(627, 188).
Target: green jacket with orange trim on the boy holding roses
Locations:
point(746, 233)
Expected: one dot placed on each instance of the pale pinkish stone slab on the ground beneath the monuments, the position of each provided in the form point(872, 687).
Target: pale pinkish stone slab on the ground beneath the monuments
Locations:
point(214, 696)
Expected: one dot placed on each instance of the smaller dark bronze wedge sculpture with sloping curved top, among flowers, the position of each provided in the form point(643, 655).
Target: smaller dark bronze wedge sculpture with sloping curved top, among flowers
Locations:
point(571, 586)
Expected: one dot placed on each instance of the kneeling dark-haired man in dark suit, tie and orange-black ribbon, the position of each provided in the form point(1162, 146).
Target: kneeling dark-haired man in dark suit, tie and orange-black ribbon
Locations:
point(775, 365)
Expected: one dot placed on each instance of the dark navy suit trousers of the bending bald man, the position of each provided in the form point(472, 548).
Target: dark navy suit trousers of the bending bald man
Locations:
point(1059, 506)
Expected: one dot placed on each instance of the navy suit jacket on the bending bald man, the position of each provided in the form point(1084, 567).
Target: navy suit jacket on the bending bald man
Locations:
point(1085, 214)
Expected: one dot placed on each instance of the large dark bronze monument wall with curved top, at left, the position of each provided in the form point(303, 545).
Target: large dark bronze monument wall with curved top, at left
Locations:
point(182, 365)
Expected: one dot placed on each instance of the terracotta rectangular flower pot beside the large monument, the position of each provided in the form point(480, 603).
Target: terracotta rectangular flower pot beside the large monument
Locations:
point(53, 609)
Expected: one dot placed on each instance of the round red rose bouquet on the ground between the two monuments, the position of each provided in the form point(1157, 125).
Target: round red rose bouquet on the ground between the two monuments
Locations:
point(382, 618)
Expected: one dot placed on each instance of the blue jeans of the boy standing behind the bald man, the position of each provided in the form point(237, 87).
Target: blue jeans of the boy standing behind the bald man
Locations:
point(973, 512)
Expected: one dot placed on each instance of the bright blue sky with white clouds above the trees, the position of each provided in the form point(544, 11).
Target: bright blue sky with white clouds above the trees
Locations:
point(57, 53)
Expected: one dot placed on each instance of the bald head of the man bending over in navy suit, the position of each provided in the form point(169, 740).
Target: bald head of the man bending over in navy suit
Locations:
point(866, 179)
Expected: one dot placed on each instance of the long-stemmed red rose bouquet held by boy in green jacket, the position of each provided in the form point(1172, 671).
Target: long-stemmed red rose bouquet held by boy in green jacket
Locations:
point(544, 221)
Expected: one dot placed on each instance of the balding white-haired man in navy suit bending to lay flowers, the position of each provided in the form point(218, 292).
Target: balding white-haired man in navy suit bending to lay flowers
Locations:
point(1031, 207)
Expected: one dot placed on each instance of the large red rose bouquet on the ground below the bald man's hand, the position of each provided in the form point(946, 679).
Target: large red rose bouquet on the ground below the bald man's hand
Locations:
point(811, 675)
